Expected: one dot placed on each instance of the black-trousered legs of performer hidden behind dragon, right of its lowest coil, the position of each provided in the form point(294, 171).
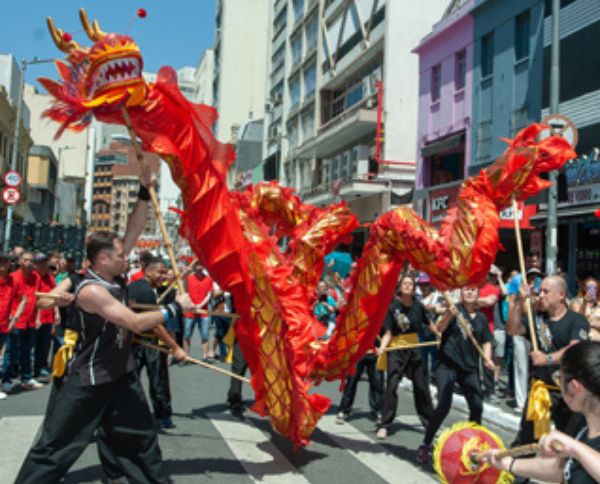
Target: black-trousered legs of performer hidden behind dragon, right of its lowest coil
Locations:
point(369, 363)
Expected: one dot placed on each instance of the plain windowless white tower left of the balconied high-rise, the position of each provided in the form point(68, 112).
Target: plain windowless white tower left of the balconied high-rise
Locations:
point(240, 63)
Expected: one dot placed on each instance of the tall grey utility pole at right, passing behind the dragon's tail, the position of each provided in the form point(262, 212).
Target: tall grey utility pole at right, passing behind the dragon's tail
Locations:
point(552, 223)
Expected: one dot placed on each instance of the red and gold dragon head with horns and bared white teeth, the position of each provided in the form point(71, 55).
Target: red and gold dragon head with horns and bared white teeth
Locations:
point(97, 78)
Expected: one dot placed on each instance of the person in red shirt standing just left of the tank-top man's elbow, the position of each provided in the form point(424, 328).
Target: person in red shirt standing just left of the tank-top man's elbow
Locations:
point(46, 318)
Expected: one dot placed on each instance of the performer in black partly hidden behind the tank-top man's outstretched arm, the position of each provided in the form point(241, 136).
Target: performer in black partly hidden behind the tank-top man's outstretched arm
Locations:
point(145, 291)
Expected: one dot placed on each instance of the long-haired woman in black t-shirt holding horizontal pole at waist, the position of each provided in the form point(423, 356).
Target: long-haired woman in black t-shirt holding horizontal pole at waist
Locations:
point(402, 322)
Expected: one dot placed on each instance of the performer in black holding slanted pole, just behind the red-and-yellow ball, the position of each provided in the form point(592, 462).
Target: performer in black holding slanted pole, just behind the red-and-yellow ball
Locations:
point(458, 362)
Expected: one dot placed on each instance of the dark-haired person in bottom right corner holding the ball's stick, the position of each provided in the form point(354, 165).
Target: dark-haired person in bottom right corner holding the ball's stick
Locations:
point(578, 460)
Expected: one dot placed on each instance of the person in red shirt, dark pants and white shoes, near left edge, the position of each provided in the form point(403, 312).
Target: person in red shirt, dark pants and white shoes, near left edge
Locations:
point(22, 331)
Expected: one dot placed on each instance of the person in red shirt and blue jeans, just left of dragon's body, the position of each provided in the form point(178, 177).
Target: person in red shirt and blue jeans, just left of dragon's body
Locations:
point(199, 285)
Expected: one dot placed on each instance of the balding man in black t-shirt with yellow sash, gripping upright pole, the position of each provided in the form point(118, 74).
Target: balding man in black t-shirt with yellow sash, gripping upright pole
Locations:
point(556, 328)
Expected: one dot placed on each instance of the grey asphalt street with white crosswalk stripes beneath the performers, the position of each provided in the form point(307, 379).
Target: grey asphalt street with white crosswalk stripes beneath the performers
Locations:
point(210, 445)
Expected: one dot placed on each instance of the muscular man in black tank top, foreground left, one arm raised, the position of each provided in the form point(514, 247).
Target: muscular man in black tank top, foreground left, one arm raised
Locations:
point(100, 389)
